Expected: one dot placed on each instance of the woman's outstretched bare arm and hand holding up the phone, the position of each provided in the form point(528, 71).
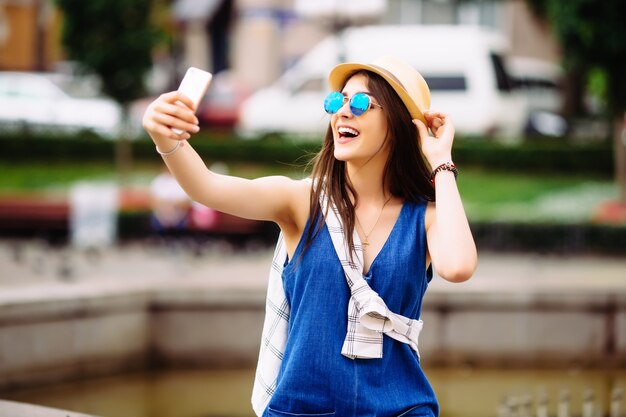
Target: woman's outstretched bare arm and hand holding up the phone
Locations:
point(270, 198)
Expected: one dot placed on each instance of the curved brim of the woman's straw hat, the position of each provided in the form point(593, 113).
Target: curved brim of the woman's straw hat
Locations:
point(340, 74)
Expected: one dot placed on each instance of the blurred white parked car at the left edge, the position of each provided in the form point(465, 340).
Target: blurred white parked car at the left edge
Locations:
point(46, 101)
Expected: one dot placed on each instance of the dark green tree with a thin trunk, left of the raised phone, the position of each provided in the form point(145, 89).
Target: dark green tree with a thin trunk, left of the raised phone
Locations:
point(113, 39)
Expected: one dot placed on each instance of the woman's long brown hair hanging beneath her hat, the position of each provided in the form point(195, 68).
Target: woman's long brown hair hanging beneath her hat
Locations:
point(406, 174)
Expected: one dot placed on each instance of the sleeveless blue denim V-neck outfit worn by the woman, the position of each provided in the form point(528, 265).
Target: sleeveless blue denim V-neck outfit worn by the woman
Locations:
point(314, 378)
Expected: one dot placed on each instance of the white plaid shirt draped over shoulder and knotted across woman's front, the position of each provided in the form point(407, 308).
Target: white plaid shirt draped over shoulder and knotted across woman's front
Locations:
point(368, 316)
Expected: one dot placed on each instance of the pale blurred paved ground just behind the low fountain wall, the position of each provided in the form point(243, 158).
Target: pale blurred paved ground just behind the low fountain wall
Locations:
point(34, 266)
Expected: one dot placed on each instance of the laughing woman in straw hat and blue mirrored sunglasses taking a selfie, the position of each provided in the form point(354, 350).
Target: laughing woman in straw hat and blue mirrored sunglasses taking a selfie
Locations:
point(357, 242)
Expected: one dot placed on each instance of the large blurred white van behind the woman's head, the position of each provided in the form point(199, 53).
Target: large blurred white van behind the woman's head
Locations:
point(463, 66)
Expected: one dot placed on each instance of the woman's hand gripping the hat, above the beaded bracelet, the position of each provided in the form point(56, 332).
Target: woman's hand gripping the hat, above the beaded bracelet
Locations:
point(437, 148)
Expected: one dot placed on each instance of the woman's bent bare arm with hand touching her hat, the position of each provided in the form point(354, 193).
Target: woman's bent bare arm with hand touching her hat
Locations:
point(450, 242)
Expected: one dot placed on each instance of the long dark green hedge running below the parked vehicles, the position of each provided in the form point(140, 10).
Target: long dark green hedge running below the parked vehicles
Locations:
point(546, 156)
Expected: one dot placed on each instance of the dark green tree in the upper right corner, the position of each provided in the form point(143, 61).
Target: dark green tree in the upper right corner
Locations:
point(593, 38)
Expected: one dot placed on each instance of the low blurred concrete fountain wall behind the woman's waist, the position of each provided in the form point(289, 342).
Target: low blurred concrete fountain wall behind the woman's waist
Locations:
point(61, 331)
